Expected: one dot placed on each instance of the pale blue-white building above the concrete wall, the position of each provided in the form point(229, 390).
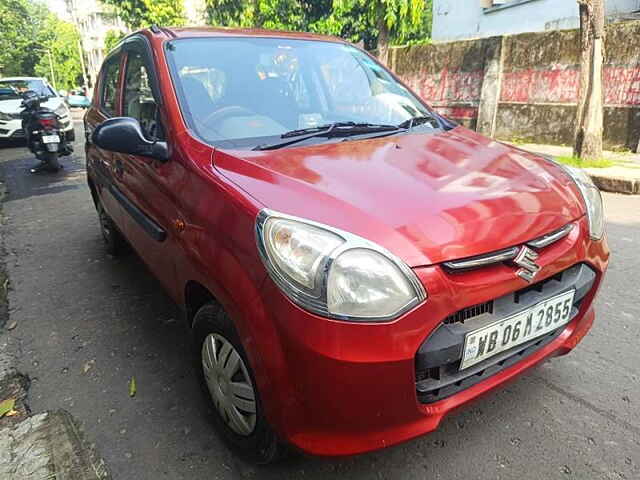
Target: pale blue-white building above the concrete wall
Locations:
point(461, 19)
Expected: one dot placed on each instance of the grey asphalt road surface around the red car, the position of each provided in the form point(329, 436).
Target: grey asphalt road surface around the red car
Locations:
point(87, 323)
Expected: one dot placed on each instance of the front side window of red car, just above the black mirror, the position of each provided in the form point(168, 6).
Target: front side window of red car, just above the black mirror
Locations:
point(138, 98)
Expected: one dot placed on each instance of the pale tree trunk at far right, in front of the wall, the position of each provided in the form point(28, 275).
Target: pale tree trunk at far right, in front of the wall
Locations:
point(589, 116)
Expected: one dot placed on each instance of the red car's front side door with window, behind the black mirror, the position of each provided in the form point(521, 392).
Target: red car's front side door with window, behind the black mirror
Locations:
point(148, 186)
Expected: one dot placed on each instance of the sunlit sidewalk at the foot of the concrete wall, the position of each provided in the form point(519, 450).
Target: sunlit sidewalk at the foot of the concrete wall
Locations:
point(624, 177)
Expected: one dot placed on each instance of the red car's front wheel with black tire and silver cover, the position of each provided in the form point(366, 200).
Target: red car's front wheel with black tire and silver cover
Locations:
point(215, 335)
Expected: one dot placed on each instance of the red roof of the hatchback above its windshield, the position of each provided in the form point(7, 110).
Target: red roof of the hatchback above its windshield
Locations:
point(190, 32)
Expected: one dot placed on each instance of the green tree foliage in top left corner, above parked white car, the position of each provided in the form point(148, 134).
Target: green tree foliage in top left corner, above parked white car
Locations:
point(29, 33)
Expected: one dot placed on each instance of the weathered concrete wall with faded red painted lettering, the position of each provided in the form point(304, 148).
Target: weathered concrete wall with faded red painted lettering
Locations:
point(526, 86)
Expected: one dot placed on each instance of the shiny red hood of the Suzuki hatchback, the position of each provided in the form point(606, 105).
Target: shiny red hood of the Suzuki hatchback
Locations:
point(427, 198)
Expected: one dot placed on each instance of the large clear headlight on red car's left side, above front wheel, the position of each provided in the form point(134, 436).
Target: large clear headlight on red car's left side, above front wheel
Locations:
point(333, 273)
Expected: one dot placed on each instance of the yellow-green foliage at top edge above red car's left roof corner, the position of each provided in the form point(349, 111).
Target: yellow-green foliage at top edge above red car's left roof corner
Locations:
point(143, 13)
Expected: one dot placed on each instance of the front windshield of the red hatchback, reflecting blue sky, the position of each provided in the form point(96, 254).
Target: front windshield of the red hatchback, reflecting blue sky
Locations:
point(243, 92)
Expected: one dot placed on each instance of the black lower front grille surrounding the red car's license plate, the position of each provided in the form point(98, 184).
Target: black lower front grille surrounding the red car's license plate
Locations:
point(437, 361)
